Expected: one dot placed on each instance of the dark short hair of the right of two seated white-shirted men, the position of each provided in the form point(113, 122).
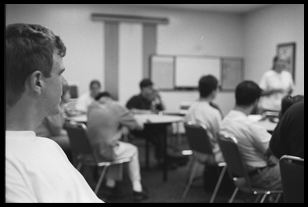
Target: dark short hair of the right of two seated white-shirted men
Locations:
point(246, 93)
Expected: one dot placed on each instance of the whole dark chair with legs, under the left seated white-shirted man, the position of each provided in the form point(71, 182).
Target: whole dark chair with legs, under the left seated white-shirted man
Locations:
point(198, 141)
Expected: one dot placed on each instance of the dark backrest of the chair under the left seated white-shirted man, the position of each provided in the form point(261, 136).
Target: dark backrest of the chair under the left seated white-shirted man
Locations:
point(198, 139)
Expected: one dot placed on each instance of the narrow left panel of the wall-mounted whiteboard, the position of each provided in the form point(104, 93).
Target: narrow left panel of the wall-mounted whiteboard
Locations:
point(162, 71)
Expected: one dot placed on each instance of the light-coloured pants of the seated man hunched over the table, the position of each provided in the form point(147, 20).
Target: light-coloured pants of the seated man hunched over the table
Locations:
point(126, 150)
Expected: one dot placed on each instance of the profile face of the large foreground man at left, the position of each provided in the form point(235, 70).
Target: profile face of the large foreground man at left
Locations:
point(52, 91)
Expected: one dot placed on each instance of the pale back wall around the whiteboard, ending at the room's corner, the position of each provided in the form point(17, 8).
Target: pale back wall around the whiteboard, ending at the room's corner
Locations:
point(192, 33)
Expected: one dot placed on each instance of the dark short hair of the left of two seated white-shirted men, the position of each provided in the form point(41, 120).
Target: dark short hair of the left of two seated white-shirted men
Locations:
point(207, 84)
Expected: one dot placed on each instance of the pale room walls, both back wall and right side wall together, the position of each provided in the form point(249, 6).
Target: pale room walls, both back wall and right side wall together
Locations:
point(253, 36)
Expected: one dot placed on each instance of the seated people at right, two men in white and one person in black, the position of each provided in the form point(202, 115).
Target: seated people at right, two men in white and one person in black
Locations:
point(260, 150)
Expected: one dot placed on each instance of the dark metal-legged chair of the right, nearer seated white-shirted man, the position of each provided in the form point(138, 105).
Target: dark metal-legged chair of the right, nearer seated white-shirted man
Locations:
point(238, 171)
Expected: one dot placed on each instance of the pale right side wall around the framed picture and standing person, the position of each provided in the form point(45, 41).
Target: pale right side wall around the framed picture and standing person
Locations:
point(267, 27)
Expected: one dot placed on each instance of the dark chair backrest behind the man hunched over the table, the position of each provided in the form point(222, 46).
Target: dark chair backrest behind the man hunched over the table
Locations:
point(77, 133)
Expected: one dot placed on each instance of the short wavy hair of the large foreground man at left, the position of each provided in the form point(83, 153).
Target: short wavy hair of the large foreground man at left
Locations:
point(28, 48)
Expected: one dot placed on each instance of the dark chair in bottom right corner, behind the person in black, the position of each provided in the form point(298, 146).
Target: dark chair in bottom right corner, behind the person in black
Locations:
point(292, 177)
